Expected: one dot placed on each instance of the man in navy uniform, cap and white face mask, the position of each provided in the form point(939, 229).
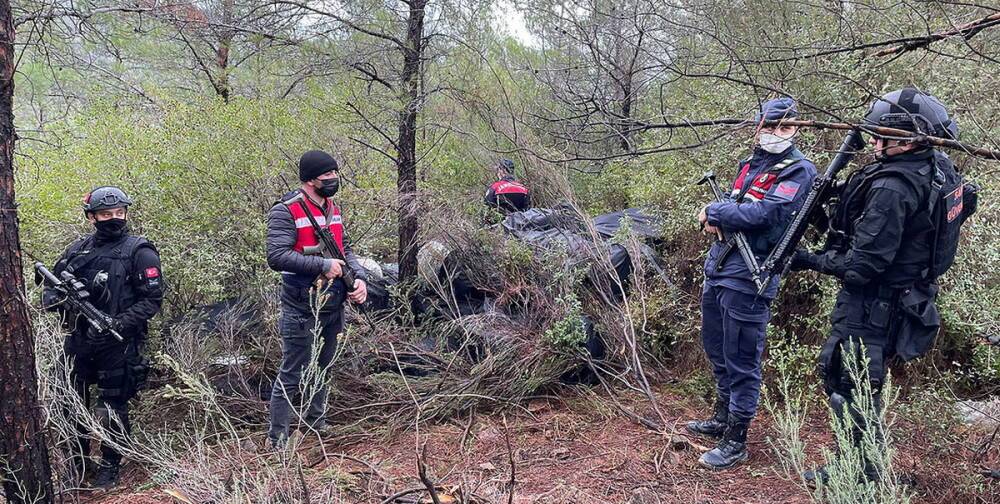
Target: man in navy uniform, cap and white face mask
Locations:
point(770, 187)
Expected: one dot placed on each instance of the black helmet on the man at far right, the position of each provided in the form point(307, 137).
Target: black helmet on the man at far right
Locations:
point(912, 110)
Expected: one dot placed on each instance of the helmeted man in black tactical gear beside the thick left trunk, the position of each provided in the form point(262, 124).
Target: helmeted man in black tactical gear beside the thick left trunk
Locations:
point(122, 275)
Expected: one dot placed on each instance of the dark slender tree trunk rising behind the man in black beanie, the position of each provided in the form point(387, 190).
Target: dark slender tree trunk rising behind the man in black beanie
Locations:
point(406, 161)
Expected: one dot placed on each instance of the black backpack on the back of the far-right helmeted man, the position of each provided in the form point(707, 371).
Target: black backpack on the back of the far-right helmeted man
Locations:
point(952, 201)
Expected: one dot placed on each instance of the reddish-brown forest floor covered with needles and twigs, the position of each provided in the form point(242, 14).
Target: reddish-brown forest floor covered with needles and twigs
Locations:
point(580, 449)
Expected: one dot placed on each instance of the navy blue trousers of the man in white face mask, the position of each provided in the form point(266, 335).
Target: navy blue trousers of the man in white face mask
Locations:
point(733, 326)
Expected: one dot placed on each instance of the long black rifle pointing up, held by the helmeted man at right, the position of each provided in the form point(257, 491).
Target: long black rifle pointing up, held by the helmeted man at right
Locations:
point(779, 259)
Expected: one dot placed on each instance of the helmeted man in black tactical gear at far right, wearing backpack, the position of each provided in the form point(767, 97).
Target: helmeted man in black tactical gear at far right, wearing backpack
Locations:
point(894, 231)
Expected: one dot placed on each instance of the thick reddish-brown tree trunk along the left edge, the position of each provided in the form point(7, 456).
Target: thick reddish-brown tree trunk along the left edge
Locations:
point(24, 461)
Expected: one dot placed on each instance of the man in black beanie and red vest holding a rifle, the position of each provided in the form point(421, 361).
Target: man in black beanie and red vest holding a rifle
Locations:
point(306, 272)
